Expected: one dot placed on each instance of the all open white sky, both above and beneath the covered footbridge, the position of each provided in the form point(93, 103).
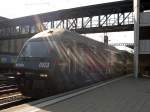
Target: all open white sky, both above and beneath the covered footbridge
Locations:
point(19, 8)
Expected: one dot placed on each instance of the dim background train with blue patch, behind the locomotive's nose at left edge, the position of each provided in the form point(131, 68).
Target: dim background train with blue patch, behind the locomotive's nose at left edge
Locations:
point(9, 49)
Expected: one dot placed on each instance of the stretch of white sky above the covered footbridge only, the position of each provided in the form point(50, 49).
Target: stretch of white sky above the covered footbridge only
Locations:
point(18, 8)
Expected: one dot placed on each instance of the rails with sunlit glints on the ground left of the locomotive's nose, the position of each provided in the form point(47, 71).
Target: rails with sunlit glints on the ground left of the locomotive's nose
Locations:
point(9, 92)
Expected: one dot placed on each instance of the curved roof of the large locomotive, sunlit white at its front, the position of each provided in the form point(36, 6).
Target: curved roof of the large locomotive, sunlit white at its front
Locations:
point(66, 35)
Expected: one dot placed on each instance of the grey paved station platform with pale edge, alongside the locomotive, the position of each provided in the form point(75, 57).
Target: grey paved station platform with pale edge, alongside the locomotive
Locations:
point(125, 94)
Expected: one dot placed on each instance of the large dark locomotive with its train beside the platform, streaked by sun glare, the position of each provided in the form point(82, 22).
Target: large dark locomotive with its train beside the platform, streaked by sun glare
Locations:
point(58, 60)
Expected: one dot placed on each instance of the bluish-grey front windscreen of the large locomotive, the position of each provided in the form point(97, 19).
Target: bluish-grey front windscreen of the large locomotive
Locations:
point(37, 49)
